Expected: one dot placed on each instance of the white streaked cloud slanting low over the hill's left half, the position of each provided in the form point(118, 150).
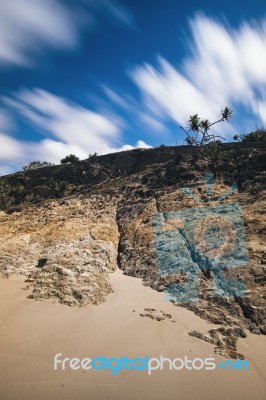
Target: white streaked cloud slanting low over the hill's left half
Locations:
point(66, 121)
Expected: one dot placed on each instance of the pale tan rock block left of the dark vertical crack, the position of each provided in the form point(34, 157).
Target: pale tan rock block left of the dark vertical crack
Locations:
point(66, 248)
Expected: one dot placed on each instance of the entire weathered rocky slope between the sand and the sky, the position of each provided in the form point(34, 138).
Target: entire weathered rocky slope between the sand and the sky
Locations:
point(68, 246)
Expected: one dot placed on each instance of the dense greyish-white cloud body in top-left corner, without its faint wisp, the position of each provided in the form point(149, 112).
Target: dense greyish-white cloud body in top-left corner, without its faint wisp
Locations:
point(25, 25)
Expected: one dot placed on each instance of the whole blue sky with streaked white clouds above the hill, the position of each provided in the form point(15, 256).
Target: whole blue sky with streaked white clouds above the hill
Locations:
point(106, 75)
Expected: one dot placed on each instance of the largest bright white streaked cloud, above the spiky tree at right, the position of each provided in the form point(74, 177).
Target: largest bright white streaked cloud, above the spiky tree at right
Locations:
point(226, 67)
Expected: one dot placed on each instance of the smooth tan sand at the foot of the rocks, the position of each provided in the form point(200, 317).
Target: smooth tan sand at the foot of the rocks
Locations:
point(32, 332)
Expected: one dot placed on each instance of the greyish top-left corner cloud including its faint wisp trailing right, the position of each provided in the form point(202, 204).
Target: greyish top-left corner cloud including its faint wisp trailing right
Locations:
point(28, 27)
